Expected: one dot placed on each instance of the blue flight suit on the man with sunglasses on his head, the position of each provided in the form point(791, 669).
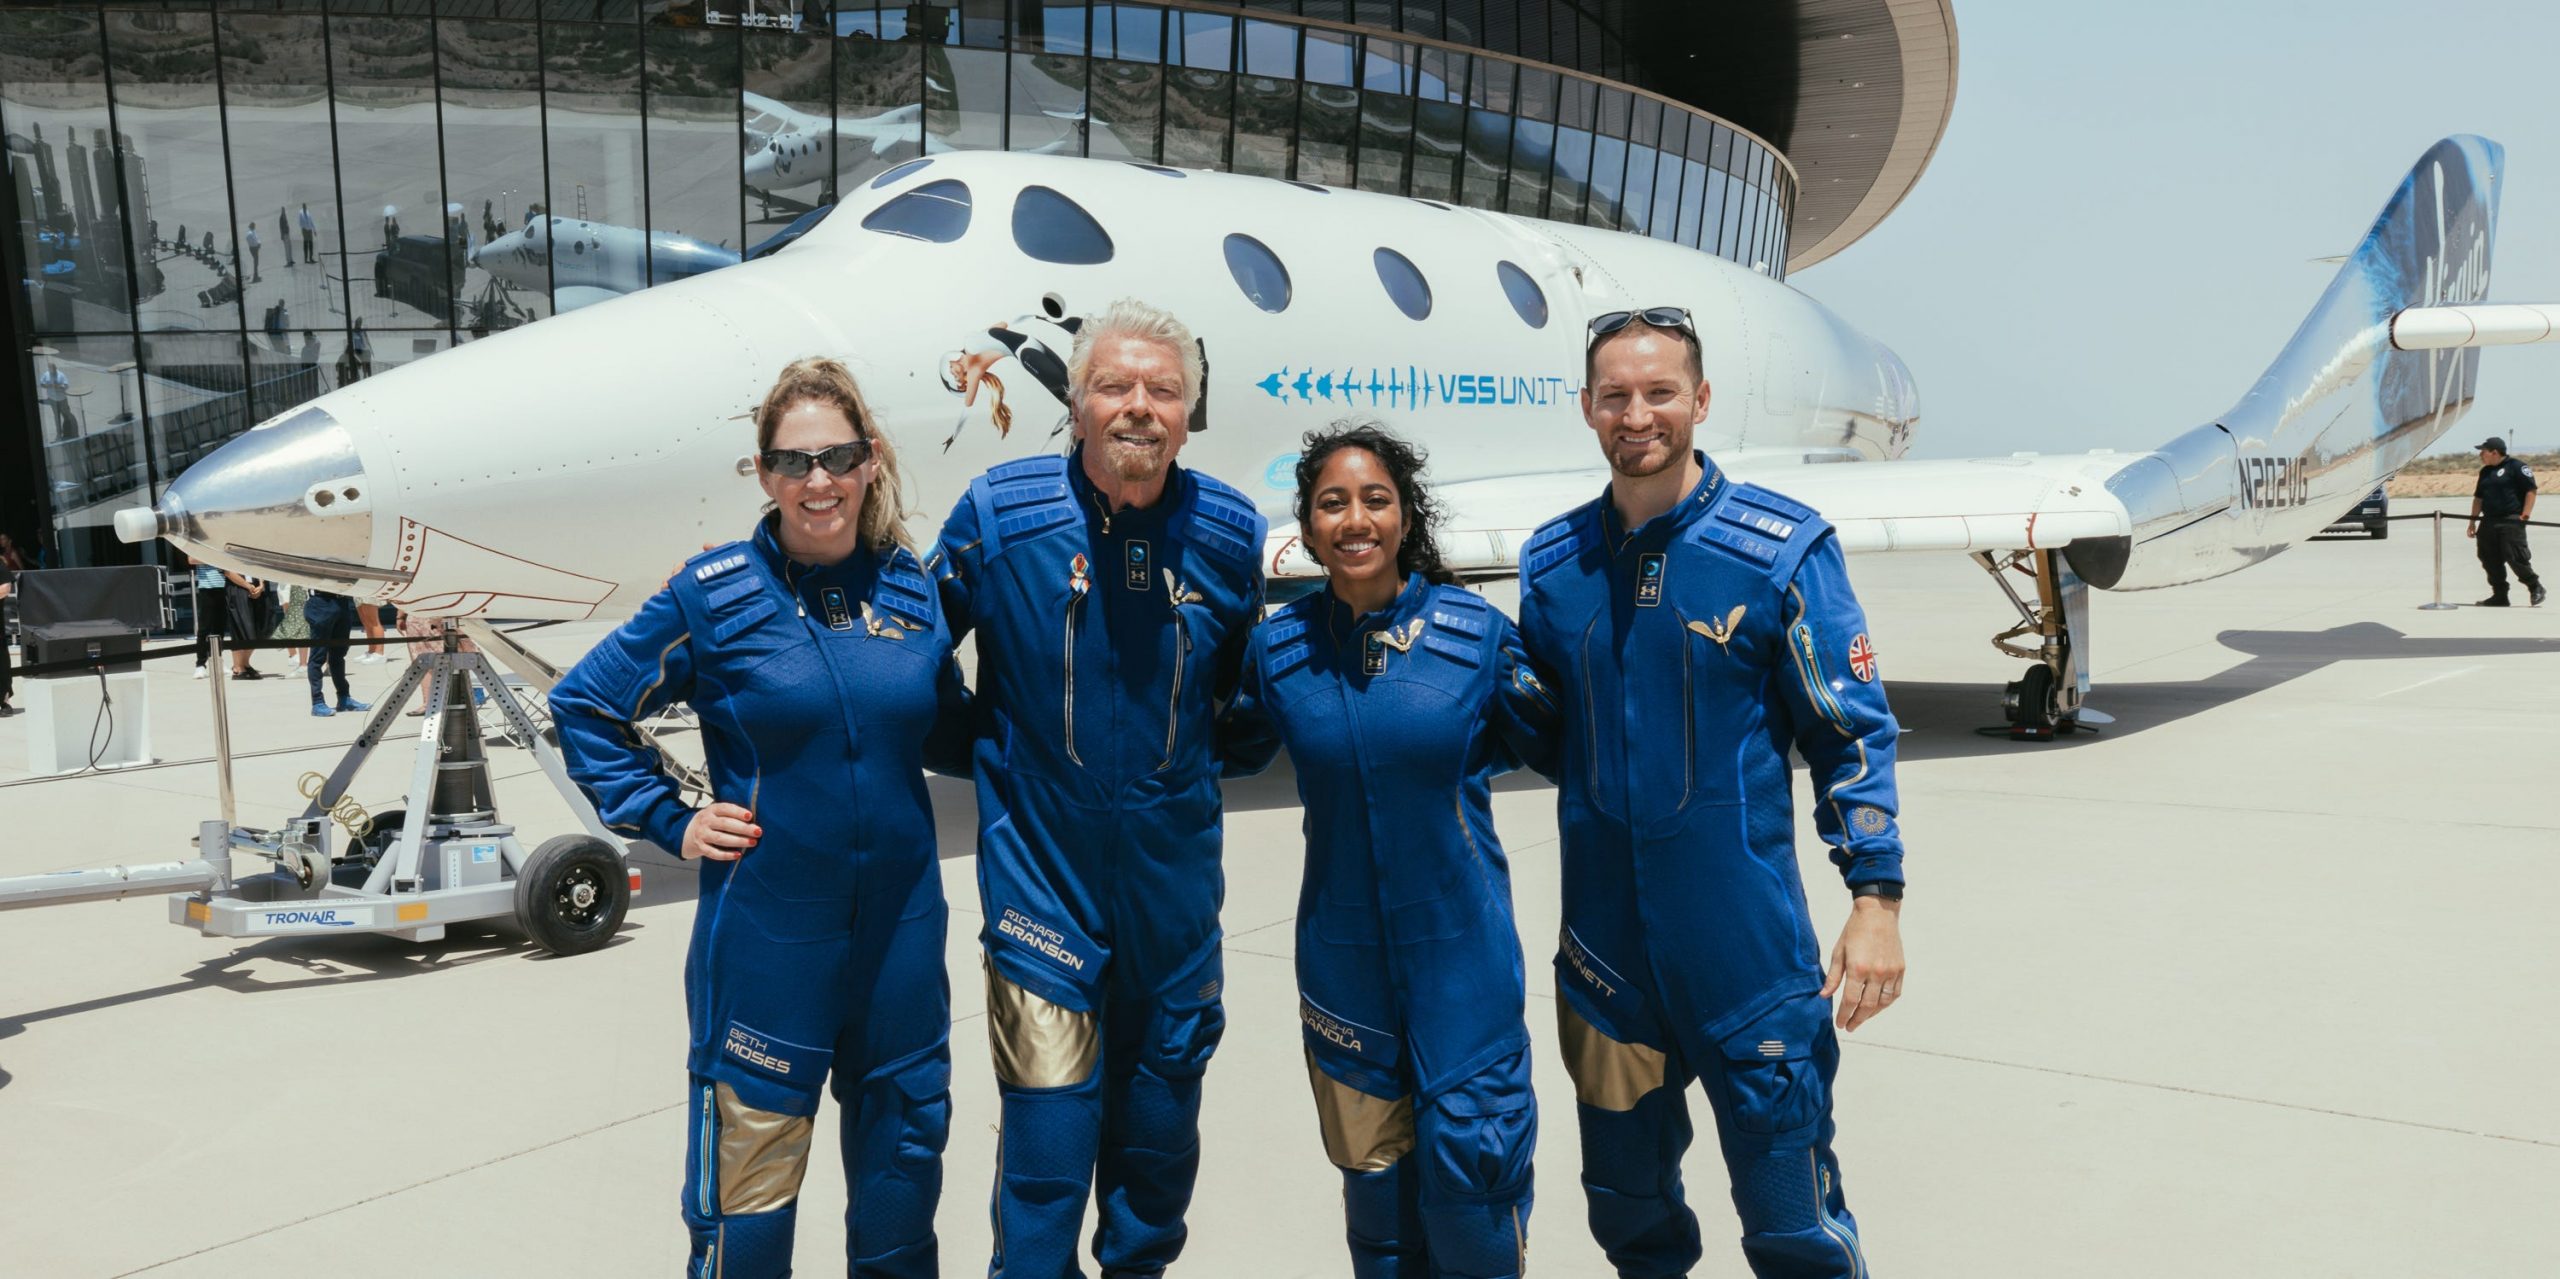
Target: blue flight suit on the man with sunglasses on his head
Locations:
point(1691, 656)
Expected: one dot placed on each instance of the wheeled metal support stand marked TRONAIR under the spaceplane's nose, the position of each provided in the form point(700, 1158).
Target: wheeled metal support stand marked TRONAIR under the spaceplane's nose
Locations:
point(444, 858)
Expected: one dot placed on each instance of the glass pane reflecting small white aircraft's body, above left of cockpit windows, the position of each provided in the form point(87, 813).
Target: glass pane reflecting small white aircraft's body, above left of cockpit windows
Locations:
point(790, 139)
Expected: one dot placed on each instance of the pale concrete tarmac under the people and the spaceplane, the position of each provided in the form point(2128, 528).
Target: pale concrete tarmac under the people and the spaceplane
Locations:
point(2252, 984)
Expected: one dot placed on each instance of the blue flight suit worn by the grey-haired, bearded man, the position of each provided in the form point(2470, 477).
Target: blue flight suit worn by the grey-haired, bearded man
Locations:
point(1107, 646)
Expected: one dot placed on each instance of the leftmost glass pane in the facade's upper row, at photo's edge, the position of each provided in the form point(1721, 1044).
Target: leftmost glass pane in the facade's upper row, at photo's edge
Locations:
point(70, 244)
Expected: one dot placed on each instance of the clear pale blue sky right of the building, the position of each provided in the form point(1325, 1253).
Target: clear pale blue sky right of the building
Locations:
point(2116, 234)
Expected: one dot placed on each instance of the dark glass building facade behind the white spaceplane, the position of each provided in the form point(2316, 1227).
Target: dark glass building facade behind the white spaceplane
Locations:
point(221, 211)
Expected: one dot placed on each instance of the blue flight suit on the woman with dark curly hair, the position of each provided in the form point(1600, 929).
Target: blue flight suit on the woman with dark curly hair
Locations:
point(1409, 961)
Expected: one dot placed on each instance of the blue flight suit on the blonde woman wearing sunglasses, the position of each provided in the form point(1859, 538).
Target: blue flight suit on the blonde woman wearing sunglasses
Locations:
point(823, 697)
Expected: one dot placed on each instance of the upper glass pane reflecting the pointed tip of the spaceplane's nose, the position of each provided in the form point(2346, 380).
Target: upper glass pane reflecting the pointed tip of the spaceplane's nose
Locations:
point(493, 116)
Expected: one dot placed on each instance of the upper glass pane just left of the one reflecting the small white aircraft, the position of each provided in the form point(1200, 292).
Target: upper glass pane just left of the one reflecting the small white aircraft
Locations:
point(692, 152)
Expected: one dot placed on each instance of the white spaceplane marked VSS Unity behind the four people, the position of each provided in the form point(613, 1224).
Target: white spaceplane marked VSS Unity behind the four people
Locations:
point(495, 482)
